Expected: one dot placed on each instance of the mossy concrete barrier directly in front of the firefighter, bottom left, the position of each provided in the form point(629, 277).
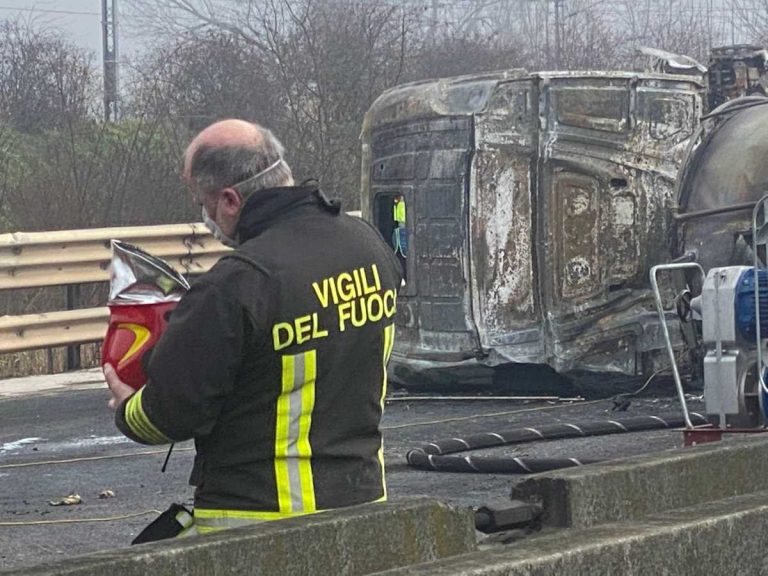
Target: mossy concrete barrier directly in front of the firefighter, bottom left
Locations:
point(352, 541)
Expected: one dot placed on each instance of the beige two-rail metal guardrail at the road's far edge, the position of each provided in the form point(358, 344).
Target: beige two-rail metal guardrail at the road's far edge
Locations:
point(40, 259)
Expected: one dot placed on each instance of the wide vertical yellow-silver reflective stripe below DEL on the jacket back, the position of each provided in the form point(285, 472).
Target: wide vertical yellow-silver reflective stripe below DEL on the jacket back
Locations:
point(293, 453)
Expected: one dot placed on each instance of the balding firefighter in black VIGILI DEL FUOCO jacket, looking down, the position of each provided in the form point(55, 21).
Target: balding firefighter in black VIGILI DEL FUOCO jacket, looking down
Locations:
point(275, 360)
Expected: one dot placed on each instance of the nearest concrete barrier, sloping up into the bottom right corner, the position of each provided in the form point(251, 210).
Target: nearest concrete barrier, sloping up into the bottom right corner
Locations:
point(723, 537)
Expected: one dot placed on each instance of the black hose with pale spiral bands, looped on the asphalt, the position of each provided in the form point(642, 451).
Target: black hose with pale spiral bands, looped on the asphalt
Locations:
point(433, 456)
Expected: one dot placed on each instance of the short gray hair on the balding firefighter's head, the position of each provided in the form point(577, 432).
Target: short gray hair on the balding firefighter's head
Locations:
point(249, 168)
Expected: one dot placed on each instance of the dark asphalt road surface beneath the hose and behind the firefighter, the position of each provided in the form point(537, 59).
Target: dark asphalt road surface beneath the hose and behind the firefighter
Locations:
point(56, 444)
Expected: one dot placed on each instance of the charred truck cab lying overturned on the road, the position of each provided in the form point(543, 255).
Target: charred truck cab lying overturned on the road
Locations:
point(526, 210)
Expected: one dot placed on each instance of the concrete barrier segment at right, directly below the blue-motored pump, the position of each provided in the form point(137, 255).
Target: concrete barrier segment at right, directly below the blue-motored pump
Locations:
point(633, 488)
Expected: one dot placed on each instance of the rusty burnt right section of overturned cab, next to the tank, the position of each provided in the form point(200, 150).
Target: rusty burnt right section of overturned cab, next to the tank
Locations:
point(609, 151)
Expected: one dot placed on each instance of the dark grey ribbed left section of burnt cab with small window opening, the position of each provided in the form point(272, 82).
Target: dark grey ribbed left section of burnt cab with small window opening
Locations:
point(422, 159)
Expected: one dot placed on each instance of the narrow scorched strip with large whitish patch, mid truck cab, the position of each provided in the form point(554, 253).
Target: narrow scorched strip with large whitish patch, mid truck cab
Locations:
point(502, 222)
